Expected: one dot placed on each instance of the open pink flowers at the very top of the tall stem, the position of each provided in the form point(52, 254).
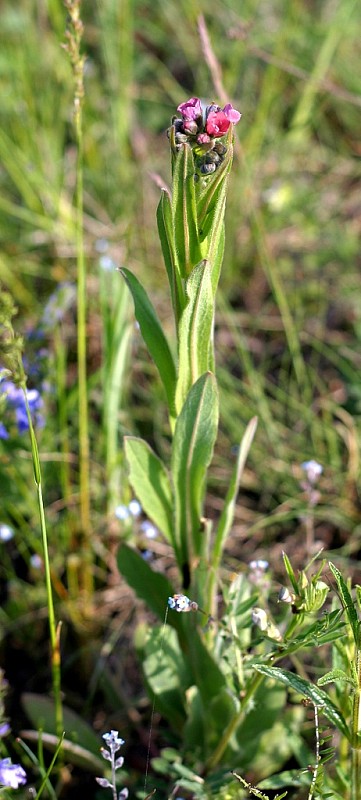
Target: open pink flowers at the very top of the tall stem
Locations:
point(215, 123)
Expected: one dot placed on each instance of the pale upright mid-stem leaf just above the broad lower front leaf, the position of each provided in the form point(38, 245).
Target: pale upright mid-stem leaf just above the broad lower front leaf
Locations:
point(195, 331)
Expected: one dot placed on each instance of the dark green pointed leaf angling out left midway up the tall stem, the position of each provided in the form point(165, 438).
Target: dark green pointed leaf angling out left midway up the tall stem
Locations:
point(153, 336)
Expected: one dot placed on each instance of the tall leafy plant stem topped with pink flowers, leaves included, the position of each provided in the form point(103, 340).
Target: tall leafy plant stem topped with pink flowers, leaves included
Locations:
point(191, 230)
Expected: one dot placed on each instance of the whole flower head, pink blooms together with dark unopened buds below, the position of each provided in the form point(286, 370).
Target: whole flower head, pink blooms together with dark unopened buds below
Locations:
point(202, 131)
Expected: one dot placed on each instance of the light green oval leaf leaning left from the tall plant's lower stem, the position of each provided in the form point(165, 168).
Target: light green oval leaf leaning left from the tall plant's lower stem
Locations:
point(149, 478)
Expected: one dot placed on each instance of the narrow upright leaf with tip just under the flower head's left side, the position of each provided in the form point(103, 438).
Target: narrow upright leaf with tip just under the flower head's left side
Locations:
point(184, 210)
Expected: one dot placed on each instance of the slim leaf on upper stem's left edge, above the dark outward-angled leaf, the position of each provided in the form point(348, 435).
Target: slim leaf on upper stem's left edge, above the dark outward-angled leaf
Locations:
point(165, 230)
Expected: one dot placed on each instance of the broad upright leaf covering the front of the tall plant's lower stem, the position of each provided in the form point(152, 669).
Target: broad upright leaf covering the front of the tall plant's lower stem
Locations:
point(193, 443)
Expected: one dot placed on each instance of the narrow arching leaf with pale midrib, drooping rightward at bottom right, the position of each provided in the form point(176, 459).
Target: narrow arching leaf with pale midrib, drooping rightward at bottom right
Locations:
point(317, 696)
